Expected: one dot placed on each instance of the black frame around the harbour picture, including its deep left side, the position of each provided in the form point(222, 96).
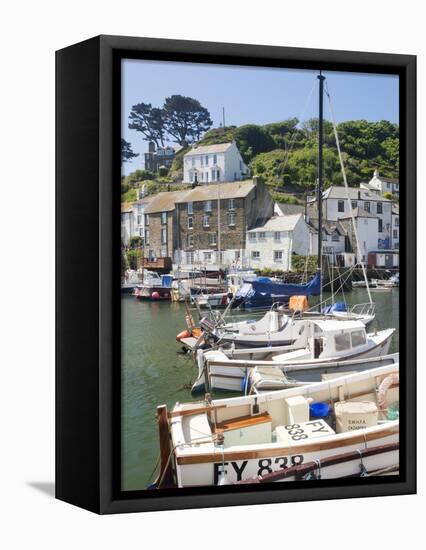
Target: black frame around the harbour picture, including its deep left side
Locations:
point(88, 272)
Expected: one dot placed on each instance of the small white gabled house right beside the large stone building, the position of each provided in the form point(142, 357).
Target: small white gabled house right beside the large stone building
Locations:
point(271, 245)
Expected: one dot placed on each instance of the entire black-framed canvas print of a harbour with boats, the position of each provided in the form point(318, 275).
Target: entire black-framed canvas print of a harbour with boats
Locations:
point(236, 288)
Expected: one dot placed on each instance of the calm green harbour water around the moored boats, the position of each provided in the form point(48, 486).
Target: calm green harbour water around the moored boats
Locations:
point(153, 373)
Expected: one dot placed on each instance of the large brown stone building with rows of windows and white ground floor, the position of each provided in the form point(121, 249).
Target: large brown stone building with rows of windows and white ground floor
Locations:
point(213, 221)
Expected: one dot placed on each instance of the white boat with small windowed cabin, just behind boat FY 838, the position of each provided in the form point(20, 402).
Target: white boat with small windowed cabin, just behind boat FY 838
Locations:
point(320, 345)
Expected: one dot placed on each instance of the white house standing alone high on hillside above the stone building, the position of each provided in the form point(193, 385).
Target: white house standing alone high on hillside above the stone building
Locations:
point(214, 163)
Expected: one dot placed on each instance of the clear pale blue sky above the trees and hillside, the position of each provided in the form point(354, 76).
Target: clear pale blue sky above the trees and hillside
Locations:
point(255, 95)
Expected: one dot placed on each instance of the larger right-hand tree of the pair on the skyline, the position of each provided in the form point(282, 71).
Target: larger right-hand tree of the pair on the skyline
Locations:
point(185, 119)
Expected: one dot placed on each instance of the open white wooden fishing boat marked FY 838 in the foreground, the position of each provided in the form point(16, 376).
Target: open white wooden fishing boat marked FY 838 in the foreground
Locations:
point(225, 441)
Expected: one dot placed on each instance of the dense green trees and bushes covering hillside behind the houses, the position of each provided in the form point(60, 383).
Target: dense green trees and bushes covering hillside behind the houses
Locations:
point(285, 153)
